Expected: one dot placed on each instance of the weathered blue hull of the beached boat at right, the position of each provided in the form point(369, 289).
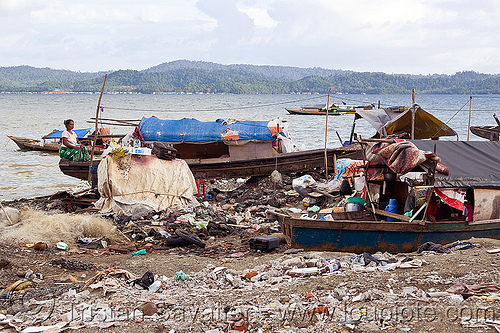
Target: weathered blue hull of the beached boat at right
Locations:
point(373, 236)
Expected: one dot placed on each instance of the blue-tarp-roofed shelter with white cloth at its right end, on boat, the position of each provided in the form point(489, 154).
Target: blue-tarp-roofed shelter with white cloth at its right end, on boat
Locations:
point(238, 140)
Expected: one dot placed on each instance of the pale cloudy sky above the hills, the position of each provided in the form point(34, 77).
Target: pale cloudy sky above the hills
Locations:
point(390, 36)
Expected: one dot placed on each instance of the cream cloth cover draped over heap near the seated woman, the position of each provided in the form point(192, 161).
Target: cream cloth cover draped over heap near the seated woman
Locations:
point(137, 185)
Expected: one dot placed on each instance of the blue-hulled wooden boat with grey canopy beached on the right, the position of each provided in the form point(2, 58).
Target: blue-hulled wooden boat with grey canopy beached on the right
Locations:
point(476, 170)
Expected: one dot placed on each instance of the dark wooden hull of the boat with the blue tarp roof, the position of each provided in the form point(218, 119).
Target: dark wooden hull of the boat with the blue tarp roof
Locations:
point(223, 167)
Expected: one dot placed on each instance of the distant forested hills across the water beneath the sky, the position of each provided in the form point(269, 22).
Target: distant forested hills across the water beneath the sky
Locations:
point(207, 77)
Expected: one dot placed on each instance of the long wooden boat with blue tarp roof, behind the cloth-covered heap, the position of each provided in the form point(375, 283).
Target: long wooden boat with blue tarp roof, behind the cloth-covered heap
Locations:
point(227, 149)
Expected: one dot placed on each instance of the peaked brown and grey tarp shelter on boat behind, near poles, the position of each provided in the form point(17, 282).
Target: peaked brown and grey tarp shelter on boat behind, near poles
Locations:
point(395, 120)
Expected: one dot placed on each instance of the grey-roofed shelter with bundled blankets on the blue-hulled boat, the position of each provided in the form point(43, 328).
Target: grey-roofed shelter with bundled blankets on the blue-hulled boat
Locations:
point(465, 173)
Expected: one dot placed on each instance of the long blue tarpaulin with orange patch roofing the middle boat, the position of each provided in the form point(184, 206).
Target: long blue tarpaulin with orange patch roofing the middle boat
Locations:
point(192, 130)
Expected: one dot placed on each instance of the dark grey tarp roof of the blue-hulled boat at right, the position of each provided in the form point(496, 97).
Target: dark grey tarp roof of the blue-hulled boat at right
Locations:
point(471, 163)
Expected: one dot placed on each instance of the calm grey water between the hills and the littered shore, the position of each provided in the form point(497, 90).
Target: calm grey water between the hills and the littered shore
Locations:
point(25, 174)
